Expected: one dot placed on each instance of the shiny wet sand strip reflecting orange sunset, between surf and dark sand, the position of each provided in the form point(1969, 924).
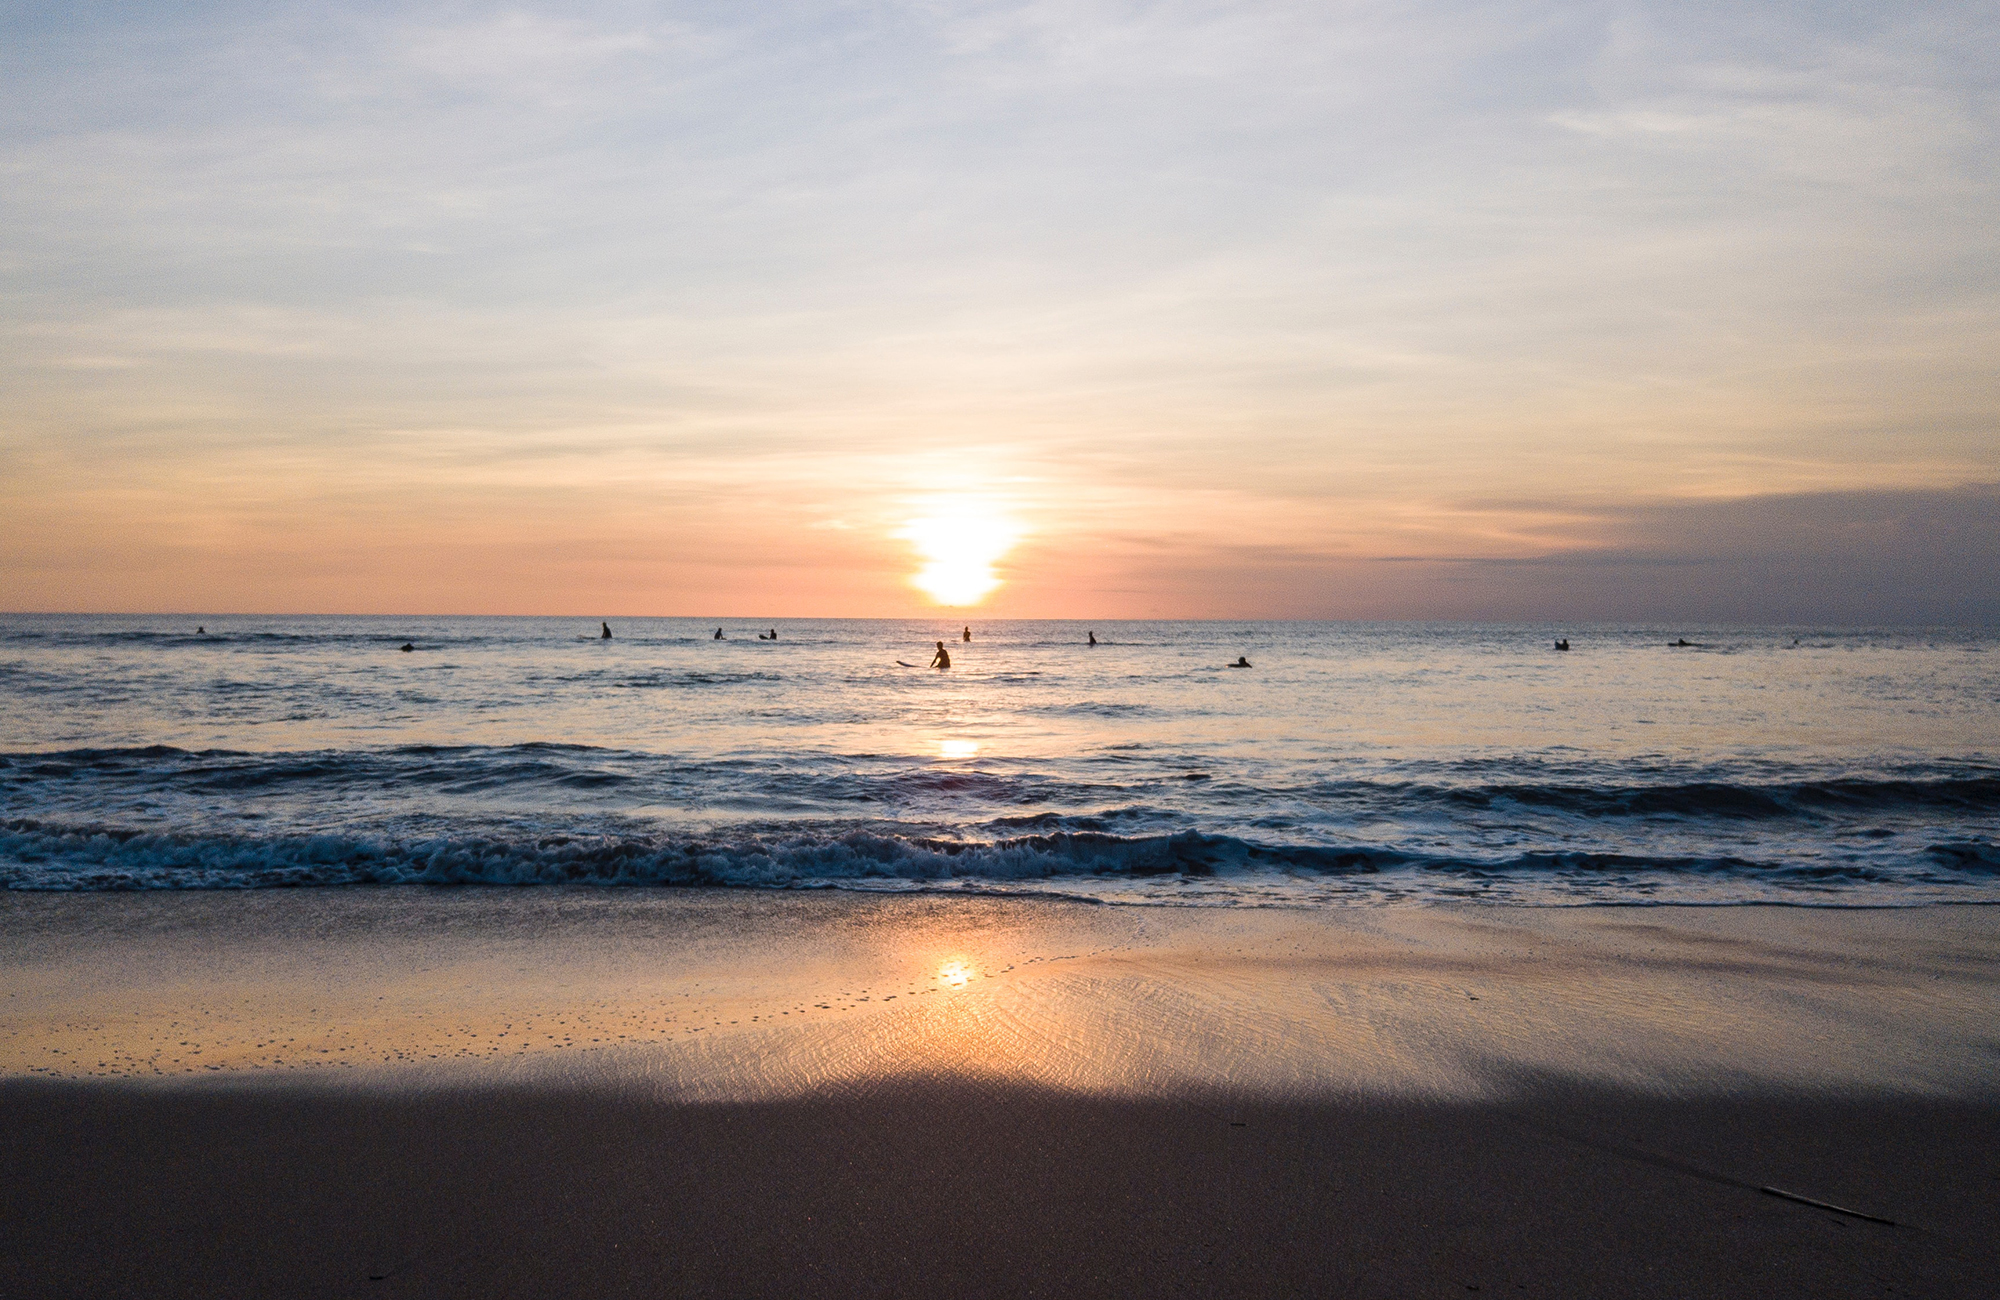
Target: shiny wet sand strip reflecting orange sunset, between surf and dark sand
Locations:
point(689, 997)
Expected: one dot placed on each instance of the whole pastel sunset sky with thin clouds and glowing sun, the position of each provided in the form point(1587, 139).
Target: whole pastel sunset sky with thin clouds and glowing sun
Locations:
point(1635, 311)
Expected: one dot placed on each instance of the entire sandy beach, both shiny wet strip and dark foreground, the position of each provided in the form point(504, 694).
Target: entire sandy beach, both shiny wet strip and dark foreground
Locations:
point(1079, 1101)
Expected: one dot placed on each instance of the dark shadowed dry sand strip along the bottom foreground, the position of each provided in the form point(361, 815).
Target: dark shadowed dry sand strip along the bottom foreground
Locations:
point(957, 1189)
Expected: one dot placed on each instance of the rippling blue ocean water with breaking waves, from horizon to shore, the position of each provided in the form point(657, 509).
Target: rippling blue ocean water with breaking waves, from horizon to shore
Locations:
point(1349, 763)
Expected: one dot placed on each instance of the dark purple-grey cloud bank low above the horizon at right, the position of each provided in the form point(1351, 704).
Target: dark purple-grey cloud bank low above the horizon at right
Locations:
point(1913, 557)
